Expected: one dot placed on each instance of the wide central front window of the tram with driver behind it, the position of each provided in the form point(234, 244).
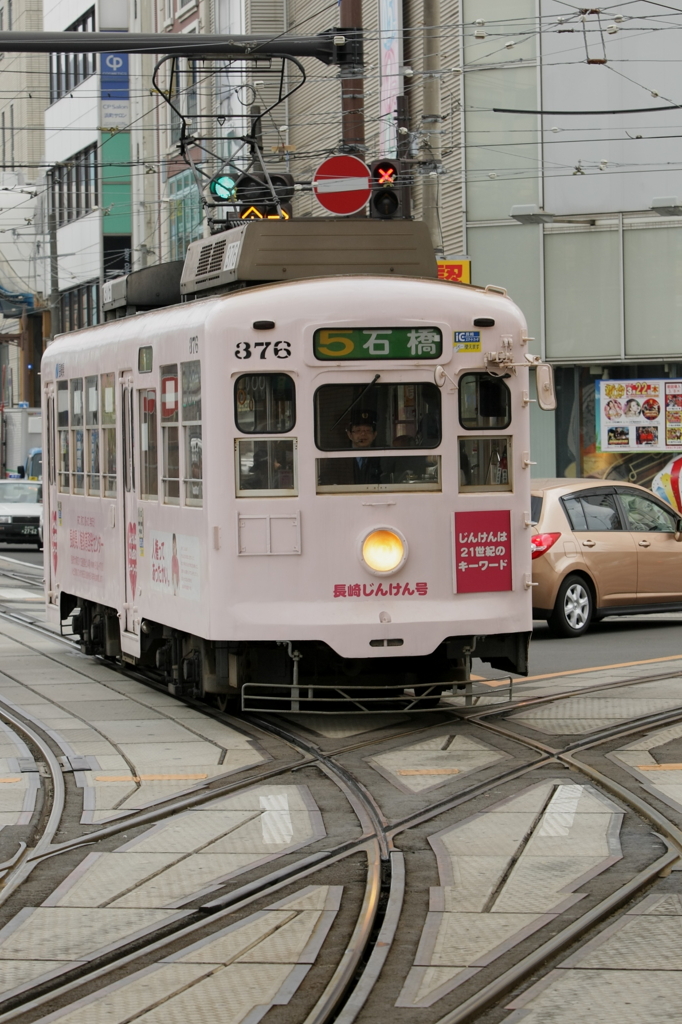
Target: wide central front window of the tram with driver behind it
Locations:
point(371, 418)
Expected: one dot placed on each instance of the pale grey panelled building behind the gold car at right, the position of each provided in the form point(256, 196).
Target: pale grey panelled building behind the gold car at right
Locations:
point(594, 267)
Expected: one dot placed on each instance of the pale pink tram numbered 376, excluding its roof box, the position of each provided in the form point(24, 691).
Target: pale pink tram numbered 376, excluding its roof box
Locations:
point(274, 490)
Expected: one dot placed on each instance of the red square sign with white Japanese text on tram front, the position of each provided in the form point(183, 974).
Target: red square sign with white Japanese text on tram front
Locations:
point(483, 552)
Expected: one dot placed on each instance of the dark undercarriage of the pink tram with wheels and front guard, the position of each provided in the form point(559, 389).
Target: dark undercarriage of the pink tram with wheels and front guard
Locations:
point(291, 676)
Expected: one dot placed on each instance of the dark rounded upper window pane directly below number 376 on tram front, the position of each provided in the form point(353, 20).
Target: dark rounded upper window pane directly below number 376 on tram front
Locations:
point(265, 404)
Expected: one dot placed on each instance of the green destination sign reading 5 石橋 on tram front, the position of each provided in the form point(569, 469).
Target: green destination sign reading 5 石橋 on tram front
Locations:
point(378, 344)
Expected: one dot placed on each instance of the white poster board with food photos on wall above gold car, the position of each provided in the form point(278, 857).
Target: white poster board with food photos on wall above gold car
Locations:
point(640, 415)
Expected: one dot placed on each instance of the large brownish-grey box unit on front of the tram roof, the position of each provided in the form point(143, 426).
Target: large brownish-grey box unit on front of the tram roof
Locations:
point(264, 251)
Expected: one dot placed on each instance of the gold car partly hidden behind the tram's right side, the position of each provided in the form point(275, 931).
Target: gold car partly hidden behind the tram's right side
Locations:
point(603, 549)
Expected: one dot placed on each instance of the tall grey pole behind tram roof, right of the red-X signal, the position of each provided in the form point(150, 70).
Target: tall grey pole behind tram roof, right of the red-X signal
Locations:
point(433, 120)
